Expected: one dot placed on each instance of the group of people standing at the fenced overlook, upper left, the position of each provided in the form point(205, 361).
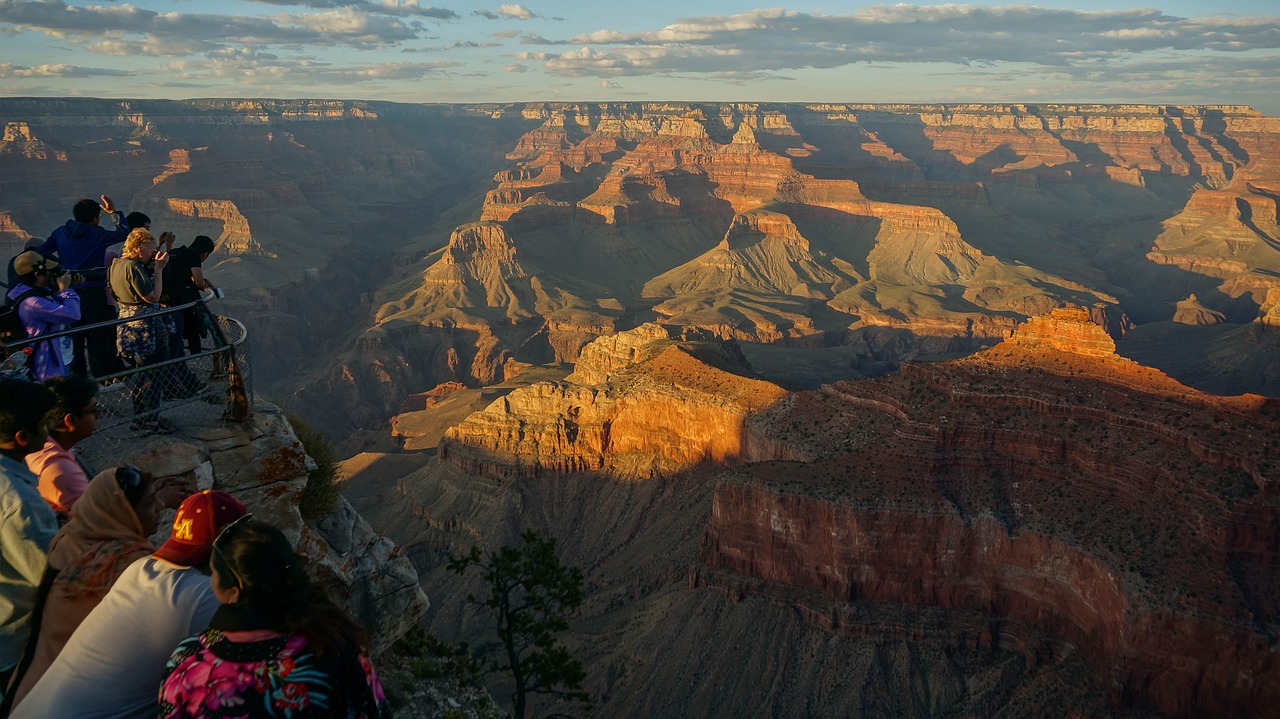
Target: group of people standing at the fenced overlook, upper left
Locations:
point(77, 280)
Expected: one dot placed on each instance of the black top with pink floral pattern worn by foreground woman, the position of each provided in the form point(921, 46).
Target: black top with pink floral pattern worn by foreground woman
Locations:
point(213, 677)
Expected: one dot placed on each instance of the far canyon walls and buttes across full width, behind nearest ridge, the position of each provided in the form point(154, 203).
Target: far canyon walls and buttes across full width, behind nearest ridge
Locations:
point(388, 249)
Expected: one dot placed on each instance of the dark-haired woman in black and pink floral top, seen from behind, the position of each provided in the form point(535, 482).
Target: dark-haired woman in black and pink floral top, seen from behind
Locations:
point(276, 648)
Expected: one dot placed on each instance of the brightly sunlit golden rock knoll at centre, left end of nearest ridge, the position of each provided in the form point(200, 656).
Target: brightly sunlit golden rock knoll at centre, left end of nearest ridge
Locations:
point(666, 411)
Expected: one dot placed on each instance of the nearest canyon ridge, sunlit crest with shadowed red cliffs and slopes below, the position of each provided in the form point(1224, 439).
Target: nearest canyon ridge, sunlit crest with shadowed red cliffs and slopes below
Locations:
point(1044, 529)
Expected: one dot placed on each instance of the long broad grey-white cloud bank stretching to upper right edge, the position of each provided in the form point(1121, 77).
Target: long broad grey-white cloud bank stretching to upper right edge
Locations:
point(963, 35)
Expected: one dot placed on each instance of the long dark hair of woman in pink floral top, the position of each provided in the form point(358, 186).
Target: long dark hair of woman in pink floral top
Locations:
point(259, 560)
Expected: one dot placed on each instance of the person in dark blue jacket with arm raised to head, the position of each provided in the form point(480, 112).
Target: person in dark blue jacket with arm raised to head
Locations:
point(81, 245)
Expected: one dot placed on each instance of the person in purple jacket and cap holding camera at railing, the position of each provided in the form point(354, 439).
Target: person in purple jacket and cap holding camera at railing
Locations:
point(45, 312)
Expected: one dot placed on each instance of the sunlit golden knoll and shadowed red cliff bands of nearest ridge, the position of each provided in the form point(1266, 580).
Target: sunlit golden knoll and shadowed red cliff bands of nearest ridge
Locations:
point(1046, 483)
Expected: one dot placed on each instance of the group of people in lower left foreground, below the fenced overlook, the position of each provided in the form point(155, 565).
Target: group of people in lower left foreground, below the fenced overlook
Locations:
point(222, 620)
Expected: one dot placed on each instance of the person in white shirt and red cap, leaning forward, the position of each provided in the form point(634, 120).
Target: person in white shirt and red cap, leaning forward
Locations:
point(115, 663)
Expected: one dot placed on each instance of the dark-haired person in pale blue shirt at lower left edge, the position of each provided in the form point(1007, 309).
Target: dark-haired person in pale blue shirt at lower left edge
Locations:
point(28, 525)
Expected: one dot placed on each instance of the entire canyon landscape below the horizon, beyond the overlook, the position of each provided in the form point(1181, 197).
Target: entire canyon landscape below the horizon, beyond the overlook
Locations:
point(843, 410)
